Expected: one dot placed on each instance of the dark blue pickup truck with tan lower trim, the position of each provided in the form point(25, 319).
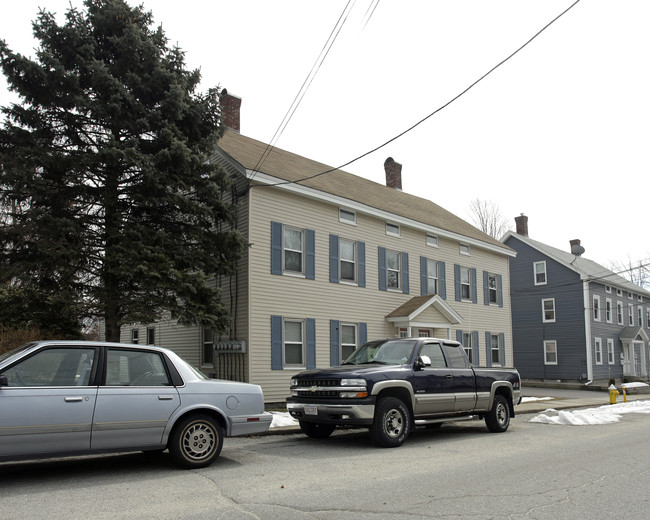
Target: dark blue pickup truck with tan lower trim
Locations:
point(391, 386)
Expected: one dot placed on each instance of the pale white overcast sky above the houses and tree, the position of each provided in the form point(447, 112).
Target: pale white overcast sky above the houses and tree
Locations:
point(559, 132)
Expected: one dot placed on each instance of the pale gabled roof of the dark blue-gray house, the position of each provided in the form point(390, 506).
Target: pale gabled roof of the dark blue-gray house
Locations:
point(587, 269)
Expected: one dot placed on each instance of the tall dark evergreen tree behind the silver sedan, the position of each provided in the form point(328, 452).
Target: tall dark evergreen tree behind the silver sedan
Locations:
point(114, 208)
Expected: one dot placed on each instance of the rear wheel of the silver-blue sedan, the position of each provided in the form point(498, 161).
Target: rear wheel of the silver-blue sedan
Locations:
point(196, 441)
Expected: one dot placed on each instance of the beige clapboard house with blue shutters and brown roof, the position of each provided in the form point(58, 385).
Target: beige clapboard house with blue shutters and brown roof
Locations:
point(335, 260)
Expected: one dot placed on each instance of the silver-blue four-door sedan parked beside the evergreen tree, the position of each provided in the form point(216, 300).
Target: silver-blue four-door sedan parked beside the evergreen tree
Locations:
point(72, 397)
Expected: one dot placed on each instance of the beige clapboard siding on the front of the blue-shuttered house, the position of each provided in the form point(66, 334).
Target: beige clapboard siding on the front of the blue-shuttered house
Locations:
point(320, 299)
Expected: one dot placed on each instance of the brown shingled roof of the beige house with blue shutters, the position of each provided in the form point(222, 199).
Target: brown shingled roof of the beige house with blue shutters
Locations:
point(280, 165)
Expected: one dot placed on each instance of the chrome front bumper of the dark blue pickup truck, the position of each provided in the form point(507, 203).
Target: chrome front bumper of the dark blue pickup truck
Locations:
point(353, 414)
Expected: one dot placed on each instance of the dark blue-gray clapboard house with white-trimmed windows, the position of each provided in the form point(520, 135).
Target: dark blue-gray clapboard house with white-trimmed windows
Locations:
point(574, 320)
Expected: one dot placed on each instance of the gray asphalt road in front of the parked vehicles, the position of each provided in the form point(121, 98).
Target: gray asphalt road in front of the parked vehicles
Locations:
point(533, 471)
